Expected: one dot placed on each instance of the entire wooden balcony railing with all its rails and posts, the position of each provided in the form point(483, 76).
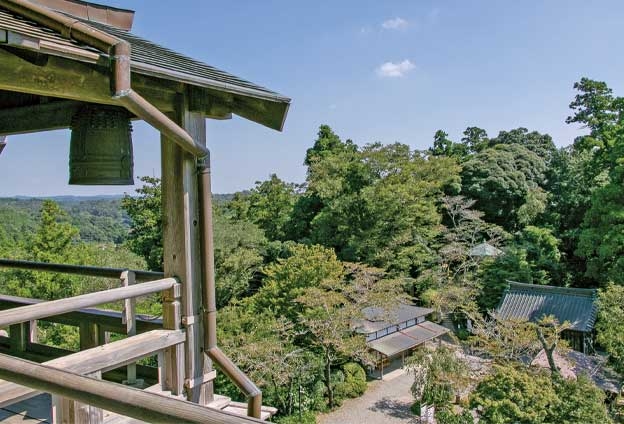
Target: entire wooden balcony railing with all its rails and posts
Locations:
point(62, 376)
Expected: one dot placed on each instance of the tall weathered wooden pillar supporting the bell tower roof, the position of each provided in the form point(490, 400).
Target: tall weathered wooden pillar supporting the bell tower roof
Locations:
point(181, 241)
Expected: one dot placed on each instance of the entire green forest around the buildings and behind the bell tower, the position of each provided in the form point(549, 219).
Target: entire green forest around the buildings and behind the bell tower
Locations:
point(374, 225)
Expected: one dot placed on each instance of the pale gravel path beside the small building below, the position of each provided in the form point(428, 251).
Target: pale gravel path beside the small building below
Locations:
point(385, 402)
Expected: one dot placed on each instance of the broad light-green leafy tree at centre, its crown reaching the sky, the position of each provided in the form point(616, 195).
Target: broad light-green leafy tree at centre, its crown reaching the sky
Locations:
point(379, 204)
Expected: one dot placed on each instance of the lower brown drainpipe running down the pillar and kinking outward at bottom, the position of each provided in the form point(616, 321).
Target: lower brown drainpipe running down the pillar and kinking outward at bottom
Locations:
point(254, 395)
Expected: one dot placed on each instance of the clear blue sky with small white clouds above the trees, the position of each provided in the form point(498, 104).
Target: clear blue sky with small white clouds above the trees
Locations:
point(387, 71)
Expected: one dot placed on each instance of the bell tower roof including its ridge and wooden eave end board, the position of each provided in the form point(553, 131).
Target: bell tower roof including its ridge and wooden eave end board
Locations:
point(150, 59)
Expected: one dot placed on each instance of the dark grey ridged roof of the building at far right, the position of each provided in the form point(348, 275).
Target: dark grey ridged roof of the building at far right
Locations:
point(532, 302)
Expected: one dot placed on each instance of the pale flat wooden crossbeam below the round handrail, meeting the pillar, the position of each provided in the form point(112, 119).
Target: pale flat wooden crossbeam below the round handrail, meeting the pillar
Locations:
point(99, 359)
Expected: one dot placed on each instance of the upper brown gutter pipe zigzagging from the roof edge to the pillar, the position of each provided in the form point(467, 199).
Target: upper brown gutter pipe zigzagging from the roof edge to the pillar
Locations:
point(119, 54)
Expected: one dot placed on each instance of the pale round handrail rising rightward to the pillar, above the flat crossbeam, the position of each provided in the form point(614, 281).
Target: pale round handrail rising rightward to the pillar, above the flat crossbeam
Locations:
point(57, 307)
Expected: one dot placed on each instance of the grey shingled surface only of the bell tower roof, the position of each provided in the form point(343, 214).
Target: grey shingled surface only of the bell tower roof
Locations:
point(151, 59)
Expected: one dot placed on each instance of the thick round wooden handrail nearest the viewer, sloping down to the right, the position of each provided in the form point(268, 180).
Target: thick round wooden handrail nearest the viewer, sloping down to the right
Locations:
point(123, 400)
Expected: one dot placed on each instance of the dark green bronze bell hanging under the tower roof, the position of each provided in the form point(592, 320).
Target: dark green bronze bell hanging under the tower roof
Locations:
point(100, 151)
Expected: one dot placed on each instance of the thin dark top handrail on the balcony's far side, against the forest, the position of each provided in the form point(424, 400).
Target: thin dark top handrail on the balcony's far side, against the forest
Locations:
point(88, 271)
